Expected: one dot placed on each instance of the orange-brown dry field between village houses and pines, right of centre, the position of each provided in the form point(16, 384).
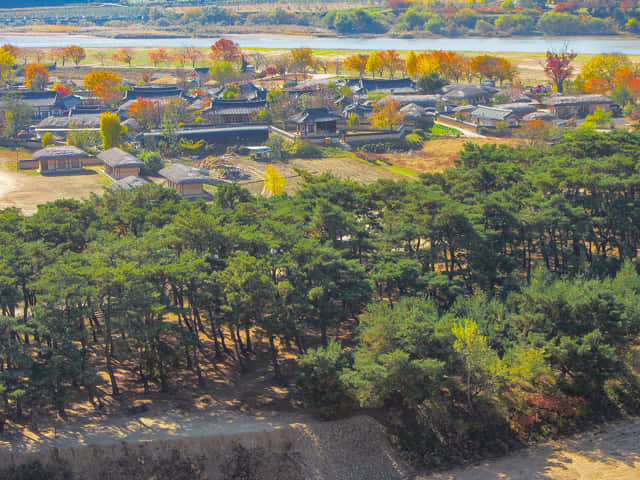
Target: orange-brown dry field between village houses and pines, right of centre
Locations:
point(439, 154)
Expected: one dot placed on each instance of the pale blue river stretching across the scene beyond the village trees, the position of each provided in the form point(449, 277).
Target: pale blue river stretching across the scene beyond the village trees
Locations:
point(587, 45)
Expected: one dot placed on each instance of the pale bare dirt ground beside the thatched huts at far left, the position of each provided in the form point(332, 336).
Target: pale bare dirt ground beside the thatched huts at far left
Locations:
point(27, 189)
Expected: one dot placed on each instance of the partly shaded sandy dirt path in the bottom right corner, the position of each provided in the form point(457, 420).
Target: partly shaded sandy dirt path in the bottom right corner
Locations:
point(609, 452)
